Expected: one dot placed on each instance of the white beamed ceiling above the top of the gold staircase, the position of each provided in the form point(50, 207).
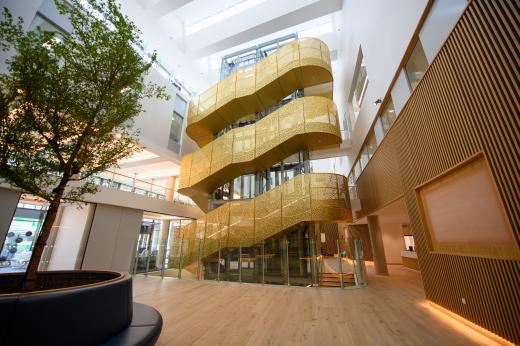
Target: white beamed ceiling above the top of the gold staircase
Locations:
point(195, 57)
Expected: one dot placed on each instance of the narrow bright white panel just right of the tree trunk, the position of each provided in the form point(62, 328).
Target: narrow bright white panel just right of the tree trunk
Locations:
point(74, 222)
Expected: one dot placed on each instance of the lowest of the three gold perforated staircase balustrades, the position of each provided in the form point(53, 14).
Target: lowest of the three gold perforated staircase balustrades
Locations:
point(311, 197)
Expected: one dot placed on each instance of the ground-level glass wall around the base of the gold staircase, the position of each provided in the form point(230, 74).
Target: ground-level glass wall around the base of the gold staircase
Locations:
point(293, 257)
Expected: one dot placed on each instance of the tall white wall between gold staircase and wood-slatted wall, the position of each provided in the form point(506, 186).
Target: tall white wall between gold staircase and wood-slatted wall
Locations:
point(383, 29)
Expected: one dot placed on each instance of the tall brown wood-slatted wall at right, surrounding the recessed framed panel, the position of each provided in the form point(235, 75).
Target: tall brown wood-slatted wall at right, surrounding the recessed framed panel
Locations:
point(466, 103)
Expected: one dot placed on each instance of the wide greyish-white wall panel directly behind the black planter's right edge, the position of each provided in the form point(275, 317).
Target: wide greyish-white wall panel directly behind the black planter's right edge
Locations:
point(112, 238)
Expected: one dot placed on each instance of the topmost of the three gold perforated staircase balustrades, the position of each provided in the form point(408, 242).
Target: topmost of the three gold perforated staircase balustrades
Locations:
point(298, 64)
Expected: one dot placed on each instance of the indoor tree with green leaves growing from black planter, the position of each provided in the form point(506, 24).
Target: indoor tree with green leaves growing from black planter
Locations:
point(67, 103)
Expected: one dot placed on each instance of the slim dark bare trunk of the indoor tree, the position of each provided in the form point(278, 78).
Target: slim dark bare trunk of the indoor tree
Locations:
point(30, 282)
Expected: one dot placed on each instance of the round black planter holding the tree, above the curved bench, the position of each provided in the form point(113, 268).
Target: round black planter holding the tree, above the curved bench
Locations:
point(89, 314)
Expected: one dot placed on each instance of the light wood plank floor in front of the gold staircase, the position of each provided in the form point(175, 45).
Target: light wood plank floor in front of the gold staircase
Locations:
point(390, 311)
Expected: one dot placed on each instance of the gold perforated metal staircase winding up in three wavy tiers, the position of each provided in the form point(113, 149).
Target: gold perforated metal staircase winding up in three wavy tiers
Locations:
point(307, 123)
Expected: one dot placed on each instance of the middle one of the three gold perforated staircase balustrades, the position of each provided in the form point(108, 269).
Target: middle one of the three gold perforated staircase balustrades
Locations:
point(308, 122)
